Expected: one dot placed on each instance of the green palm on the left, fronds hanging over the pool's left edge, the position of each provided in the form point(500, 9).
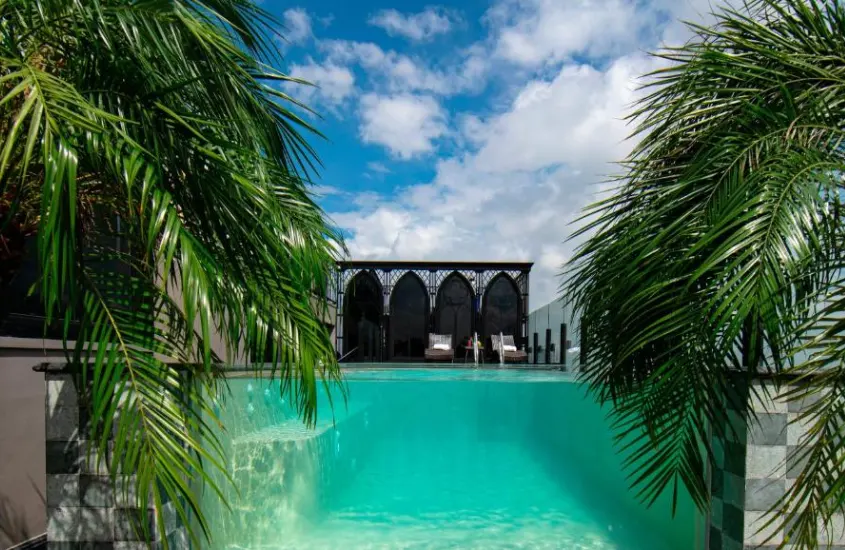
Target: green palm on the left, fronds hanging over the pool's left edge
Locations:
point(169, 178)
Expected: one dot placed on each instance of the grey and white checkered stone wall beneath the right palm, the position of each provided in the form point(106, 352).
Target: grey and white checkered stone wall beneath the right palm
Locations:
point(755, 465)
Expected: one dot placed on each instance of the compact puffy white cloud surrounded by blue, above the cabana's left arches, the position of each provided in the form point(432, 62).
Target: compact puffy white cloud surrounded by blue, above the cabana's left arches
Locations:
point(407, 125)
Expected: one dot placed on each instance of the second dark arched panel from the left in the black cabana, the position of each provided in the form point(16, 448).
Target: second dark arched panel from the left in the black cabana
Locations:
point(408, 319)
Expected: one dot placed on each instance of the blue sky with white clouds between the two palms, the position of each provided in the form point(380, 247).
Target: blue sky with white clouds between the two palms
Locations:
point(471, 130)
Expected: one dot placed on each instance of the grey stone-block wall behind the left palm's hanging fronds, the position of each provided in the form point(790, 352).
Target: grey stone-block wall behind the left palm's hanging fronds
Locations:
point(84, 511)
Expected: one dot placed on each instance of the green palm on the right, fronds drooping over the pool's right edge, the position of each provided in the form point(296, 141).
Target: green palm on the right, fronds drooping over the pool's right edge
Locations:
point(720, 255)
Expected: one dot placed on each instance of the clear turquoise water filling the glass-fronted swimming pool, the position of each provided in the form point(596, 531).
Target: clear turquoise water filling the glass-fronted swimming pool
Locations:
point(434, 459)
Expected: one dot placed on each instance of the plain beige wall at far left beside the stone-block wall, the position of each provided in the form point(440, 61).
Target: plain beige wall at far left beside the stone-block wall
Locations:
point(22, 454)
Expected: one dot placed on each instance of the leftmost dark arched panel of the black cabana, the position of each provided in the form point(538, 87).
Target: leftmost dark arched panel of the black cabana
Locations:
point(362, 318)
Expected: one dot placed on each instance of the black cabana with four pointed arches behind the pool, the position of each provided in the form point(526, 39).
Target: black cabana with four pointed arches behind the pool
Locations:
point(387, 309)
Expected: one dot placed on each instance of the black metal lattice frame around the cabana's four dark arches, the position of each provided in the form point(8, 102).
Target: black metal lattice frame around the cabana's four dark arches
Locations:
point(387, 273)
